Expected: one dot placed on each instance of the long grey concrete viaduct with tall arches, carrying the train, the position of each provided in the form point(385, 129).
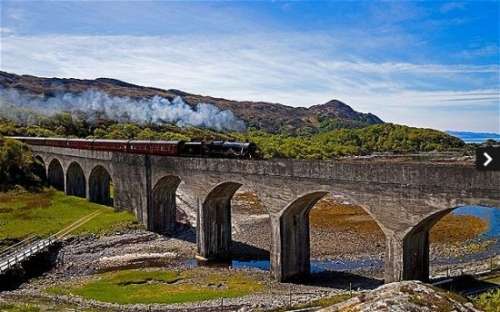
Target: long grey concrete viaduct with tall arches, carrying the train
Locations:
point(405, 198)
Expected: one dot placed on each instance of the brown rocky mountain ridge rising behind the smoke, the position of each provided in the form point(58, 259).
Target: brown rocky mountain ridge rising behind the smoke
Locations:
point(272, 117)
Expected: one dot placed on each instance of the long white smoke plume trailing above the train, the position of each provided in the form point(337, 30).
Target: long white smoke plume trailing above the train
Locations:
point(159, 110)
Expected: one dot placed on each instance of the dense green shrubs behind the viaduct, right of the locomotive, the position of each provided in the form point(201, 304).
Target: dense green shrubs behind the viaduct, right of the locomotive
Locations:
point(342, 142)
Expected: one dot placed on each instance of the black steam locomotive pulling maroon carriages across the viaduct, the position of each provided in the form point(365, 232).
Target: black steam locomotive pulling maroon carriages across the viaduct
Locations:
point(221, 149)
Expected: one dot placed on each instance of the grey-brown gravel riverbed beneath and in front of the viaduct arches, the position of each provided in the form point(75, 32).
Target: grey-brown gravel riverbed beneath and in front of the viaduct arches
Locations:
point(81, 257)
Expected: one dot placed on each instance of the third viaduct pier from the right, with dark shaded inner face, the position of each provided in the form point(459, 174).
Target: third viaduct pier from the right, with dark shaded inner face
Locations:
point(214, 222)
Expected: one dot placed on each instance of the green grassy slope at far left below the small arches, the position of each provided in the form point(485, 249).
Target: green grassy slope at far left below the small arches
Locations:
point(23, 213)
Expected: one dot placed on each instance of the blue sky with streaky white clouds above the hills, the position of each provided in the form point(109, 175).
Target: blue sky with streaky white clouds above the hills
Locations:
point(426, 64)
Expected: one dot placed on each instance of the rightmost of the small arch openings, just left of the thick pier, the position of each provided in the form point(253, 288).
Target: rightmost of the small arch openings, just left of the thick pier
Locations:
point(100, 186)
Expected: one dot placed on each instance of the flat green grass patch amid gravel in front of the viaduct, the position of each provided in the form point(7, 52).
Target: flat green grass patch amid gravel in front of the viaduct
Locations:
point(162, 286)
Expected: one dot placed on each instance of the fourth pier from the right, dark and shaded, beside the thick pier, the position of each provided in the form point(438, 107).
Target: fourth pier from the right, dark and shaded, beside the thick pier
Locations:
point(162, 210)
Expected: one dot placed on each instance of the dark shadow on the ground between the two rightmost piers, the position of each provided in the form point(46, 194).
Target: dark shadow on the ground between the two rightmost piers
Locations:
point(339, 280)
